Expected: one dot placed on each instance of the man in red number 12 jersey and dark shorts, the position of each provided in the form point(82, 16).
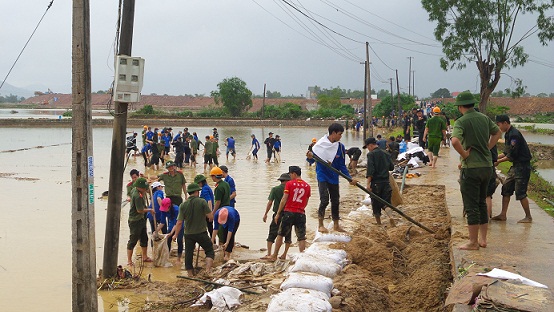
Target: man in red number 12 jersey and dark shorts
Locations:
point(292, 207)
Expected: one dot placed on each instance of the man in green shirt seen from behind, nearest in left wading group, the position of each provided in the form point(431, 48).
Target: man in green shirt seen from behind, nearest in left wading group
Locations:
point(193, 212)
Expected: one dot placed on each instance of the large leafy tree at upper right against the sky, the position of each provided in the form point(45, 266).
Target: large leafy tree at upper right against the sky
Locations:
point(484, 32)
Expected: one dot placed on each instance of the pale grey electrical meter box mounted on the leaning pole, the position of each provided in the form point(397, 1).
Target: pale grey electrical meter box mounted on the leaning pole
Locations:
point(129, 74)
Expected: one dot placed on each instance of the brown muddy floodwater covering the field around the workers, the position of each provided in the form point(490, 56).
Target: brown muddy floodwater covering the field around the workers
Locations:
point(35, 229)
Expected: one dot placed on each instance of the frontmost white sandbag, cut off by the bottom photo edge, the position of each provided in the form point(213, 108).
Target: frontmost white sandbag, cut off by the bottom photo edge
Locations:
point(297, 299)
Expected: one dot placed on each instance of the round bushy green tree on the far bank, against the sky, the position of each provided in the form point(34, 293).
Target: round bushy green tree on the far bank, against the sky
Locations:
point(234, 94)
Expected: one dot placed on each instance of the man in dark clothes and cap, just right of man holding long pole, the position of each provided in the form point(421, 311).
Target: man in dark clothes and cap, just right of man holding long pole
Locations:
point(379, 163)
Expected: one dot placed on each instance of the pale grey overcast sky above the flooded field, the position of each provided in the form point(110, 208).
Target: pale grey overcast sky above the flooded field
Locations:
point(190, 46)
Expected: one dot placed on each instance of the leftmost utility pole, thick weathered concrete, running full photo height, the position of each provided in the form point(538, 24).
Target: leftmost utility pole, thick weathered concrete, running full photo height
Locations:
point(83, 272)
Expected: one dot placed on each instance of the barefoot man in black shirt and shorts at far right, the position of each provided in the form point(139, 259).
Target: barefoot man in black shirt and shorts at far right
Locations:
point(517, 151)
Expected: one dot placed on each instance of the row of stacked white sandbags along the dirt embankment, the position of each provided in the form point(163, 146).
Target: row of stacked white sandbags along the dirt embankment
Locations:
point(309, 283)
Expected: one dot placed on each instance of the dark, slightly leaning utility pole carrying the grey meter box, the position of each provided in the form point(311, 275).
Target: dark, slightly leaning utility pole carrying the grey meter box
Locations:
point(111, 241)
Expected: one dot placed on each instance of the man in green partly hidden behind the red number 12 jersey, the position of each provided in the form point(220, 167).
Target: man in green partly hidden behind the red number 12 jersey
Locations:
point(274, 200)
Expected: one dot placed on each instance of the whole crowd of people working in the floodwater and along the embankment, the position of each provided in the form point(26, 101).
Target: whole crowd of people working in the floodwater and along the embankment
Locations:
point(197, 214)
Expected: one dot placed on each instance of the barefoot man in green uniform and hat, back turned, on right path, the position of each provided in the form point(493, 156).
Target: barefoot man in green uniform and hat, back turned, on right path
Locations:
point(473, 136)
